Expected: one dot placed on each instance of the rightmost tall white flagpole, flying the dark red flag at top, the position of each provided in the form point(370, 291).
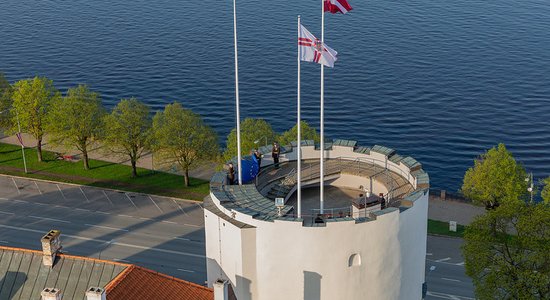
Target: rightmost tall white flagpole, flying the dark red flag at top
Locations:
point(322, 159)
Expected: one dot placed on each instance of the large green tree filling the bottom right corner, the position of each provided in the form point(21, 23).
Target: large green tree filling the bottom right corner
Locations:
point(507, 252)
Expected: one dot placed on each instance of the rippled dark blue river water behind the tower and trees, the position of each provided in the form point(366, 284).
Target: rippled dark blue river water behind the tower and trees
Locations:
point(438, 80)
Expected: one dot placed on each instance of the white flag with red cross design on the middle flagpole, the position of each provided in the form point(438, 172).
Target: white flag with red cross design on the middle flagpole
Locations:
point(313, 50)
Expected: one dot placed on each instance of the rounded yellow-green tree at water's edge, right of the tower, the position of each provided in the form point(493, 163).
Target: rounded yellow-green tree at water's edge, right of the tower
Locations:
point(495, 178)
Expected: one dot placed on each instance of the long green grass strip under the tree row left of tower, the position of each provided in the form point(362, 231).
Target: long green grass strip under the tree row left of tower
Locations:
point(101, 174)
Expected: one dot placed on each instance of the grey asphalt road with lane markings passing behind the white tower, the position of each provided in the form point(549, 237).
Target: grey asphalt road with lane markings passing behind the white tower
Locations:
point(159, 233)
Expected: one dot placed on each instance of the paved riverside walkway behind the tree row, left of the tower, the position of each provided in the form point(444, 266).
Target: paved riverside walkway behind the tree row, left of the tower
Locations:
point(204, 172)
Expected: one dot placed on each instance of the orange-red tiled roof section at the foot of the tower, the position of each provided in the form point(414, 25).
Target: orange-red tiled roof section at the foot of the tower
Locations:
point(137, 283)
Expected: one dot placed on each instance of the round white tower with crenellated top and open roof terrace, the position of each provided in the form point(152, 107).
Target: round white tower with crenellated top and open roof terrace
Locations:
point(371, 248)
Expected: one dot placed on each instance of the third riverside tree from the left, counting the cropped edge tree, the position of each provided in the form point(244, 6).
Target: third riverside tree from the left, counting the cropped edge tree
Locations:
point(76, 120)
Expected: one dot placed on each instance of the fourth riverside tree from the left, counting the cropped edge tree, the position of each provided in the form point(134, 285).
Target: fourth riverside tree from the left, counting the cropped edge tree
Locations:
point(127, 129)
